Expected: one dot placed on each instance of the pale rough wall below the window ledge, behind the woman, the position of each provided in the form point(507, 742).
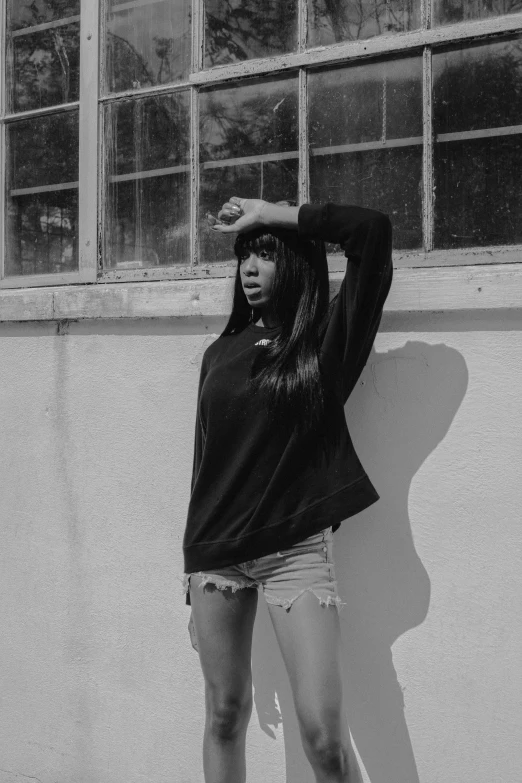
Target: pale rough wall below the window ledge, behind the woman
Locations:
point(99, 683)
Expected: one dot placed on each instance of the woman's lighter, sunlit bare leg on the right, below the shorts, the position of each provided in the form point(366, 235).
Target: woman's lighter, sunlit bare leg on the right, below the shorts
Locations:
point(309, 636)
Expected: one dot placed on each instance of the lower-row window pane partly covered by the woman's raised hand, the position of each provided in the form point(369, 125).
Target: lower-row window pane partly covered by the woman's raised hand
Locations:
point(249, 148)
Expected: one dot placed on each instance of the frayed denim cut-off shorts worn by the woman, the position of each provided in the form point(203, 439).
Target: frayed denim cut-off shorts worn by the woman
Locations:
point(284, 575)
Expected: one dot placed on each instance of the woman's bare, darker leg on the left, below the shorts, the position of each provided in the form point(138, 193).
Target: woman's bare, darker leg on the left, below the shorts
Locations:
point(224, 622)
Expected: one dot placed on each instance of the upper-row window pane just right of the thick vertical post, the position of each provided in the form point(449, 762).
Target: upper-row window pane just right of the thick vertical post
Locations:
point(148, 43)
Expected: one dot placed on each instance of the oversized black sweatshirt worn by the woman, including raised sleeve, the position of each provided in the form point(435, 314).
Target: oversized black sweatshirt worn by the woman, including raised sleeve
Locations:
point(258, 488)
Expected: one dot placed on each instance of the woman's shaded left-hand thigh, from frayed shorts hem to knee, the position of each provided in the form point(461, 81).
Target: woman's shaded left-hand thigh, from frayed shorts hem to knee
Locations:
point(224, 623)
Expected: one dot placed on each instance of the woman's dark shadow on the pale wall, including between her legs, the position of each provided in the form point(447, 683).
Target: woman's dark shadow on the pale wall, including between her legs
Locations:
point(399, 412)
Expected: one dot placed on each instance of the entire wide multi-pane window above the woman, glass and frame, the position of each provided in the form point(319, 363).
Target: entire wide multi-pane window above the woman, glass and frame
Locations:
point(123, 122)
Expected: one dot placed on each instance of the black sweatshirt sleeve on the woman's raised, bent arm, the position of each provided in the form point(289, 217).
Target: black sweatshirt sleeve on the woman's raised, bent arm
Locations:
point(365, 235)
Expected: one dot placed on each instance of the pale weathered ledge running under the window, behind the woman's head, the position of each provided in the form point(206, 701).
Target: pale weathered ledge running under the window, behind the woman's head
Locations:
point(451, 288)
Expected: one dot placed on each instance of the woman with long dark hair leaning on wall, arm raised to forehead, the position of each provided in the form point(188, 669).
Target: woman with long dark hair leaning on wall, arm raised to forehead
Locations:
point(275, 471)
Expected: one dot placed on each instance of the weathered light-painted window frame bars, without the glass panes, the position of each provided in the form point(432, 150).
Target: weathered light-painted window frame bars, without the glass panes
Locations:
point(92, 101)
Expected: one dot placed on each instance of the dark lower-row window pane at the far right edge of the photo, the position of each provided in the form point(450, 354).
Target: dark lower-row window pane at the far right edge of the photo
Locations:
point(478, 145)
